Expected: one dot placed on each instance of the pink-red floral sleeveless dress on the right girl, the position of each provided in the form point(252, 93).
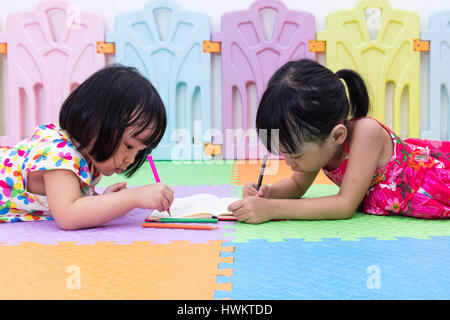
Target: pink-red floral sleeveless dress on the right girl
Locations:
point(415, 182)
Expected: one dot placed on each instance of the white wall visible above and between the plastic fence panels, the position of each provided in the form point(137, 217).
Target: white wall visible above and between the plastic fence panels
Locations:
point(214, 9)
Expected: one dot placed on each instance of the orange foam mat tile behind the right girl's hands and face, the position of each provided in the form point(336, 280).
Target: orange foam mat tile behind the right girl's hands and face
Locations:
point(248, 171)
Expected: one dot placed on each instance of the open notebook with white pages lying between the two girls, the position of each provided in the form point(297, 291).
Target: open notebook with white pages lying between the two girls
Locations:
point(198, 206)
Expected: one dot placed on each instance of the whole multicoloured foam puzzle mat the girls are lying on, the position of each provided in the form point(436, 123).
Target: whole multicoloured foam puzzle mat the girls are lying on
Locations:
point(366, 257)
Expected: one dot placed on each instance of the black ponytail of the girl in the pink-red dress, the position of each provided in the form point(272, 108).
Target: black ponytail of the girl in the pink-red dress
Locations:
point(357, 91)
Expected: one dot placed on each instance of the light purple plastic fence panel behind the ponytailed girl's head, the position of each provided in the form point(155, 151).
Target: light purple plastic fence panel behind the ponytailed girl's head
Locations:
point(250, 56)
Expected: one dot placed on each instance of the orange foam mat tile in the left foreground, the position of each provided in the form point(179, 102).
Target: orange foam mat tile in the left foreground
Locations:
point(142, 270)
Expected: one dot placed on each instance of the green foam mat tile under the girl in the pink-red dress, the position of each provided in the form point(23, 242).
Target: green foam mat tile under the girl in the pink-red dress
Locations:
point(359, 226)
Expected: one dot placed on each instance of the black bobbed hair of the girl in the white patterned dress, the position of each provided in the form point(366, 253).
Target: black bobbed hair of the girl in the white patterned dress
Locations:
point(110, 100)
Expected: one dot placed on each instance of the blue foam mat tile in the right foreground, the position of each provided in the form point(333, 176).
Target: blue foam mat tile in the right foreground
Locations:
point(333, 269)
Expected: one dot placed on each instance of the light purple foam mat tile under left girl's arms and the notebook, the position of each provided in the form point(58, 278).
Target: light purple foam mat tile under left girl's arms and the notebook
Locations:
point(123, 230)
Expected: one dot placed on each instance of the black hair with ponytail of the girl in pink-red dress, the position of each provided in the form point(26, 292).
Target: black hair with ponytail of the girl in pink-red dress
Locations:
point(305, 101)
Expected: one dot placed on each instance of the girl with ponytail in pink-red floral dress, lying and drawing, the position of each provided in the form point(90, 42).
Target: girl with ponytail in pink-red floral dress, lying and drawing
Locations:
point(320, 128)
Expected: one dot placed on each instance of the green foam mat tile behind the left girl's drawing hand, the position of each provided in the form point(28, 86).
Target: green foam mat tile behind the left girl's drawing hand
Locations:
point(188, 173)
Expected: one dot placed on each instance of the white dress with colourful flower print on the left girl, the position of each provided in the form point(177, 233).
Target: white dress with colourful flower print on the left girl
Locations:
point(49, 148)
